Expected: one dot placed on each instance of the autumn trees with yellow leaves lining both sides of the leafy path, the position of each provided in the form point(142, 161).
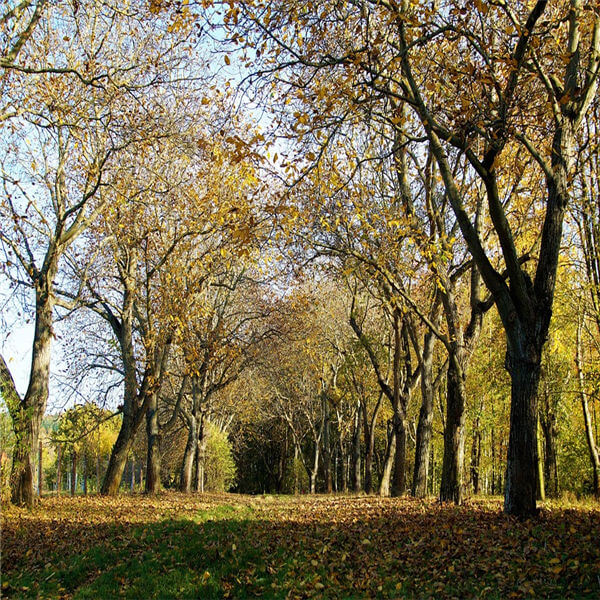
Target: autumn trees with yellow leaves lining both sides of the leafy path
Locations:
point(426, 198)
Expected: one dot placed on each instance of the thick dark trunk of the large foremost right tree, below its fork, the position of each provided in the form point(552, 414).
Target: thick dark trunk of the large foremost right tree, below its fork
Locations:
point(521, 465)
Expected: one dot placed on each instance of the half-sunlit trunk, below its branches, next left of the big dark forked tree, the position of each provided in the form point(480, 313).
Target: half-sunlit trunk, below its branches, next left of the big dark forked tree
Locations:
point(452, 486)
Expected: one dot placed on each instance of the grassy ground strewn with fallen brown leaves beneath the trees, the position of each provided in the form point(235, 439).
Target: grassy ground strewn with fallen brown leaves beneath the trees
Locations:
point(230, 546)
